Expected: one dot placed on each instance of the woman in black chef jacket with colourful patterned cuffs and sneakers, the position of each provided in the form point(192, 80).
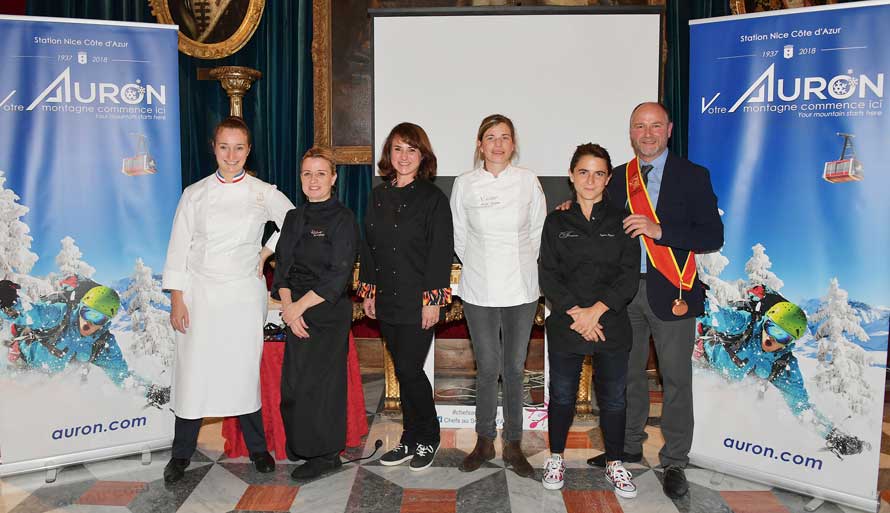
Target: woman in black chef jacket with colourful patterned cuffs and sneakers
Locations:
point(405, 279)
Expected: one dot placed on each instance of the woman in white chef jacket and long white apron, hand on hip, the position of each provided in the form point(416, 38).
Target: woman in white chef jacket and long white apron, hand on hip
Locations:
point(218, 298)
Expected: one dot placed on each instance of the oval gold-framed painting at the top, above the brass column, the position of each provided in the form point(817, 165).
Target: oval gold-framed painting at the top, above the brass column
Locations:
point(210, 30)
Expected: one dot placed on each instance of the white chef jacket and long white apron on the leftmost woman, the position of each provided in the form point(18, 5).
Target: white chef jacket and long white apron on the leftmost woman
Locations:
point(213, 258)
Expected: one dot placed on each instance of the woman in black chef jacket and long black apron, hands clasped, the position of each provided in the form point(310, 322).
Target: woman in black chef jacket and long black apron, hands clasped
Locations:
point(316, 255)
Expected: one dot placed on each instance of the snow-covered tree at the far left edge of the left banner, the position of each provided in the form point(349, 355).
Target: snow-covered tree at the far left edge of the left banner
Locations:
point(16, 257)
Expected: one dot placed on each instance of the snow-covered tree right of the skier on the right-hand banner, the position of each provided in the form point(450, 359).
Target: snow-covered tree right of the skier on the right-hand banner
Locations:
point(842, 363)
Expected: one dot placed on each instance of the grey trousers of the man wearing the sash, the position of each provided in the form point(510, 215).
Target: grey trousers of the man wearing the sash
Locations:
point(674, 341)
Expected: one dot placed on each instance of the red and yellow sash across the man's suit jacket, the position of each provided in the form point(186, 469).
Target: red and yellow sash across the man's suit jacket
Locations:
point(661, 257)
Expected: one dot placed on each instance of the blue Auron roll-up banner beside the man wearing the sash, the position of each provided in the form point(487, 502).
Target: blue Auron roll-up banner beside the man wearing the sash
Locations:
point(787, 111)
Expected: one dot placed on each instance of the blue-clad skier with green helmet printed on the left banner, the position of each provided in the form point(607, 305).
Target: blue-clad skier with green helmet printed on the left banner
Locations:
point(68, 328)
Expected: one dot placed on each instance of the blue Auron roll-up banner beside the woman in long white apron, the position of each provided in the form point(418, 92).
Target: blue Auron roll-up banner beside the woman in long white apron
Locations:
point(89, 179)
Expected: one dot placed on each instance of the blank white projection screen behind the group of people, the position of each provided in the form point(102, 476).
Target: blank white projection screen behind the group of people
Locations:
point(565, 77)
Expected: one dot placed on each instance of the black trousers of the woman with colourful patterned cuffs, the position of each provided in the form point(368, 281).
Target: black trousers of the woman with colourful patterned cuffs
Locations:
point(409, 344)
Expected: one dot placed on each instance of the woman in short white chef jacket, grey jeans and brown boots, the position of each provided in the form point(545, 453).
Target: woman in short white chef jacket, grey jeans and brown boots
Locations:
point(499, 212)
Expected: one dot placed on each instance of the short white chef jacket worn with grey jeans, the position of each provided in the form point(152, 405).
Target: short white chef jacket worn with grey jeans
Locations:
point(497, 235)
